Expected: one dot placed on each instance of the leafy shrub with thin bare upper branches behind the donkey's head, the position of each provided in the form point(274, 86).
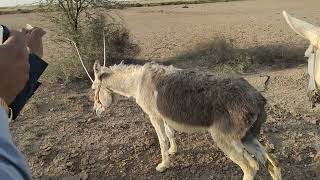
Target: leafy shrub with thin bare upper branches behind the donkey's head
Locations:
point(85, 26)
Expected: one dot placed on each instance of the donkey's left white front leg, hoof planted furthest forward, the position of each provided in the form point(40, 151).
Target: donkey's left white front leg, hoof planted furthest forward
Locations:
point(158, 124)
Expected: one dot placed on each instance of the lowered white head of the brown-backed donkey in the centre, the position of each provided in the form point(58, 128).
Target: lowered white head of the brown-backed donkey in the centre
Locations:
point(102, 95)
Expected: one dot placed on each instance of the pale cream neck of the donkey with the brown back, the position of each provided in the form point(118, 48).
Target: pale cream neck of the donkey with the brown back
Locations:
point(124, 79)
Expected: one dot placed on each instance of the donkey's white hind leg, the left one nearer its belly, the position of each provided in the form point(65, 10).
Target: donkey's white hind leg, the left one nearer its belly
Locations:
point(235, 150)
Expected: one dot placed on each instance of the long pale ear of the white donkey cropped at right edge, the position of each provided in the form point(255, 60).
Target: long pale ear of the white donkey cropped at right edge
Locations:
point(303, 28)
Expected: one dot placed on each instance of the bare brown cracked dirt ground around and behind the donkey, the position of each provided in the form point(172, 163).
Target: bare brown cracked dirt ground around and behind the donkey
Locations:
point(62, 138)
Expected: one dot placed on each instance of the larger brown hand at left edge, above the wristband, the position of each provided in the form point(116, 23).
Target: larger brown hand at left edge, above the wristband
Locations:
point(14, 66)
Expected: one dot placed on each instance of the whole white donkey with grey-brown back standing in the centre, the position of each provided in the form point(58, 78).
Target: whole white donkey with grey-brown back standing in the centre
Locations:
point(229, 108)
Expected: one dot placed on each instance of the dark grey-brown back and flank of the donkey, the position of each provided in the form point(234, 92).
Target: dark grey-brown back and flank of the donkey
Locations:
point(203, 100)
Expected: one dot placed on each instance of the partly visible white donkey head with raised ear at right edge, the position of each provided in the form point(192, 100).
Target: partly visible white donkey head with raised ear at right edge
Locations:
point(311, 33)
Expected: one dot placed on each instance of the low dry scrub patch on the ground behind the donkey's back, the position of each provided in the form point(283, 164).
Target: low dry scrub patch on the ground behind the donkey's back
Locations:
point(221, 55)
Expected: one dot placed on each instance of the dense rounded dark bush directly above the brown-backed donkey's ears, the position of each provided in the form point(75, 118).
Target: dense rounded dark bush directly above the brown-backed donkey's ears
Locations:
point(118, 42)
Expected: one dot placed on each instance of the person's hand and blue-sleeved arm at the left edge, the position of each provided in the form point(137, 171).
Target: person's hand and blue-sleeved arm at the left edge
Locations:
point(14, 73)
